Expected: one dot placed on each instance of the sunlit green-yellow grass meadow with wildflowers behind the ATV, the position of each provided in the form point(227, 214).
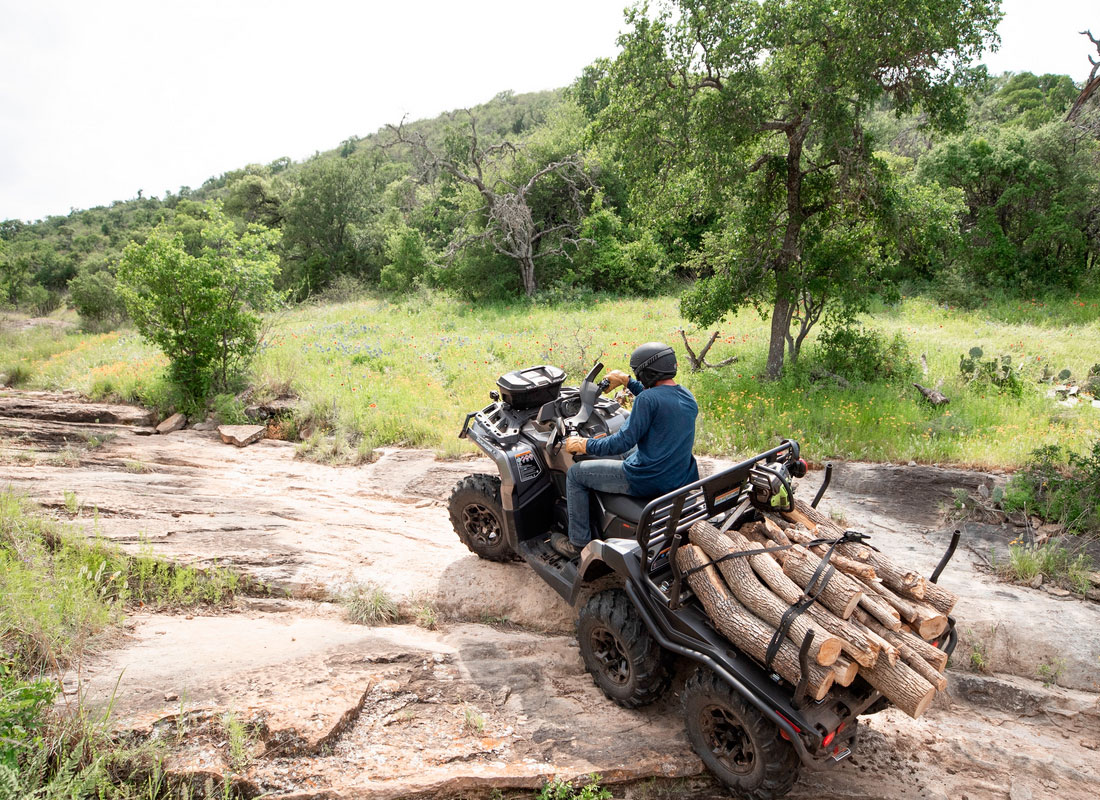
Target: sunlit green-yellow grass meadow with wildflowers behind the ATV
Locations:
point(380, 372)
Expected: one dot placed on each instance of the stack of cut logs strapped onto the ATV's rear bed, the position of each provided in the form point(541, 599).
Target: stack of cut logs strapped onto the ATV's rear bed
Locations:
point(874, 619)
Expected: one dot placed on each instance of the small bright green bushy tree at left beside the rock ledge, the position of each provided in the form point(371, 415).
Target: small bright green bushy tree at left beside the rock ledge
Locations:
point(200, 304)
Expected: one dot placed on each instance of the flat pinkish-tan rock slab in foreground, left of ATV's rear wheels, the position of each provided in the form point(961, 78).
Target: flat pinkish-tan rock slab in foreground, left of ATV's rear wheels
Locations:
point(378, 710)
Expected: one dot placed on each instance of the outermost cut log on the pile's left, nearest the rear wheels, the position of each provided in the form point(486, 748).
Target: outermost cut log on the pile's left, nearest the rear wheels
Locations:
point(743, 629)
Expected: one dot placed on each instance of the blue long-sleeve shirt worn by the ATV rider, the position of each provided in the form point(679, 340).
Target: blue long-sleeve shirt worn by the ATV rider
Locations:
point(663, 425)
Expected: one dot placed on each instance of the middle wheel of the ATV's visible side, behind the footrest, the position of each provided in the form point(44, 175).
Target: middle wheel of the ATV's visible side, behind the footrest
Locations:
point(624, 660)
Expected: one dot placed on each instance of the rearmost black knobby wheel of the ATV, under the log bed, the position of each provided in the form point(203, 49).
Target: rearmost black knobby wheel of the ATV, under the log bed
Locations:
point(736, 742)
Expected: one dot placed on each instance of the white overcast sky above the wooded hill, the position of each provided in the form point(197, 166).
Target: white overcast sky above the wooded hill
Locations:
point(100, 100)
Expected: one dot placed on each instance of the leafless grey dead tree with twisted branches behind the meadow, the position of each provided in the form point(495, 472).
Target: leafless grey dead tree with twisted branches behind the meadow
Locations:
point(510, 226)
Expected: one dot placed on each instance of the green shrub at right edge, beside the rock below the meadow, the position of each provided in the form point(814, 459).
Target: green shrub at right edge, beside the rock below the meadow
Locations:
point(1059, 488)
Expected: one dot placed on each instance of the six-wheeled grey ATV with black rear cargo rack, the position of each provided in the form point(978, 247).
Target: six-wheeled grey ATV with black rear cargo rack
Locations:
point(636, 616)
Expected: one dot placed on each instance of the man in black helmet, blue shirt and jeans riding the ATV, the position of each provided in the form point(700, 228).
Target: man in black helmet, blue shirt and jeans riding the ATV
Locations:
point(658, 440)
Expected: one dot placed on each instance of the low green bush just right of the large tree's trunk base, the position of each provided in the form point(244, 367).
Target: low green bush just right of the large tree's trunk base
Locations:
point(862, 355)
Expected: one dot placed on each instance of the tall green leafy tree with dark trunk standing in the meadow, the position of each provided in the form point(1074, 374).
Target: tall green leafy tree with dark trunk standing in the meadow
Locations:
point(753, 112)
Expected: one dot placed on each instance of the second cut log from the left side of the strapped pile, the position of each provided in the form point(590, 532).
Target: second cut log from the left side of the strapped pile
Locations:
point(758, 598)
